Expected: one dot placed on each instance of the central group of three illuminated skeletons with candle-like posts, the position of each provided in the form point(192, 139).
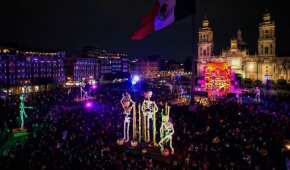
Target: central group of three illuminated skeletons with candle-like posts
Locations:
point(146, 114)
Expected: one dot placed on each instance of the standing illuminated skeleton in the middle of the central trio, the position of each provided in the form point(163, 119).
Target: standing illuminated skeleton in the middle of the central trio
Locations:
point(149, 109)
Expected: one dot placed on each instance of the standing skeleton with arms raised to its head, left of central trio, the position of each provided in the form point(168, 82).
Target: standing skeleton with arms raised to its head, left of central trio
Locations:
point(127, 104)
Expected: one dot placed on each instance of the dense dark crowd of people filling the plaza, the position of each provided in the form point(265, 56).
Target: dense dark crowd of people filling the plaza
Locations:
point(65, 135)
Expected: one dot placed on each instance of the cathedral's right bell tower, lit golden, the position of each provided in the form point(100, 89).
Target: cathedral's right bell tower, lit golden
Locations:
point(267, 39)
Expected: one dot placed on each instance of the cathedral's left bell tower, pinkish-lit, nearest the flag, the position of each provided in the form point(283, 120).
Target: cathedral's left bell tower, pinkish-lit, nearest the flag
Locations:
point(205, 45)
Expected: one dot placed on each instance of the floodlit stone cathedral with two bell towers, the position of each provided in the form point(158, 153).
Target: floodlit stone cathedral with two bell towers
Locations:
point(263, 66)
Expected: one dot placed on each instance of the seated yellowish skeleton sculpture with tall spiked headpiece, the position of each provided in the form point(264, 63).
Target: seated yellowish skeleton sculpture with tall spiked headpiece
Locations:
point(166, 131)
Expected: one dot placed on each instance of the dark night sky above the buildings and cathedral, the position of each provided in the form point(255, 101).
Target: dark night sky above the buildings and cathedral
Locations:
point(72, 24)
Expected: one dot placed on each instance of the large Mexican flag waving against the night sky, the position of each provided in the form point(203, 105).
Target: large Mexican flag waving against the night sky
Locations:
point(163, 14)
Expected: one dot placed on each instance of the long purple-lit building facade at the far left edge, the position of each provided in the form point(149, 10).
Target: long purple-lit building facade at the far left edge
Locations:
point(28, 67)
